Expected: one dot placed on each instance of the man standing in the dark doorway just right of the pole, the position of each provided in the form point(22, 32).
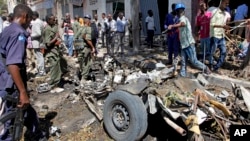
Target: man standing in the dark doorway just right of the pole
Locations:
point(150, 27)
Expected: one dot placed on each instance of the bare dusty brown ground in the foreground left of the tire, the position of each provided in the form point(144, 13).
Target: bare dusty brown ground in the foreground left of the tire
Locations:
point(72, 116)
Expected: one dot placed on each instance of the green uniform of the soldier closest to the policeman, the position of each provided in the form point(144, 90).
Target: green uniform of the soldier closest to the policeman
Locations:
point(57, 63)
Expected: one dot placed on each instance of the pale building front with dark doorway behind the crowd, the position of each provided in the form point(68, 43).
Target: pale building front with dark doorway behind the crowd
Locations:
point(82, 7)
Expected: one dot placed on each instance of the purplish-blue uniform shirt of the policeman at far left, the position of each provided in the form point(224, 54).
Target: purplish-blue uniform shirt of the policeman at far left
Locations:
point(13, 41)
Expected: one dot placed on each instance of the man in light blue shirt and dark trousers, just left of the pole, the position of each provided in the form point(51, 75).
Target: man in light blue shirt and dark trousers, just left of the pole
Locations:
point(121, 23)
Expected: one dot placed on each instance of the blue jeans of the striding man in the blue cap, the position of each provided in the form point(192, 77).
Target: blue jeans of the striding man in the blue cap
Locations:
point(190, 53)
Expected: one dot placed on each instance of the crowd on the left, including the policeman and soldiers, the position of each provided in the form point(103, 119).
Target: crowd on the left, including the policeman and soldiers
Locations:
point(31, 45)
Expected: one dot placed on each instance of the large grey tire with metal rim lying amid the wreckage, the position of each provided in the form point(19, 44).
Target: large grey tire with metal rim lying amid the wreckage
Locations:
point(125, 116)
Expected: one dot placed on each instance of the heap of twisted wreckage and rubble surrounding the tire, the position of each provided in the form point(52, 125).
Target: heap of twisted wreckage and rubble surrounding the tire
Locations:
point(207, 104)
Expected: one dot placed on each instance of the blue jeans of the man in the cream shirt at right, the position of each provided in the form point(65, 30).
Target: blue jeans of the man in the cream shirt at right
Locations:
point(221, 44)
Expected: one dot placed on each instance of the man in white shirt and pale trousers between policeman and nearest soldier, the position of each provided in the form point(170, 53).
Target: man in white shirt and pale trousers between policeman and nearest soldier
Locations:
point(36, 38)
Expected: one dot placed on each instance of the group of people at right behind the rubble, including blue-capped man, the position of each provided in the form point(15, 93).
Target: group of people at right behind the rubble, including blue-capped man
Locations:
point(212, 25)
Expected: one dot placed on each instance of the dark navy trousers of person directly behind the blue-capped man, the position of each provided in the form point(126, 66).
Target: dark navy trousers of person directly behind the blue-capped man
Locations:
point(173, 46)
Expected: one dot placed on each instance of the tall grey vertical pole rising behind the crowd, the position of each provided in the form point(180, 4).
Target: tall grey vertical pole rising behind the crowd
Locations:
point(135, 24)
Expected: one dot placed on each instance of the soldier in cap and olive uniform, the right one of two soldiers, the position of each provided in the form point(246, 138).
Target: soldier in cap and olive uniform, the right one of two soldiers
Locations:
point(85, 56)
